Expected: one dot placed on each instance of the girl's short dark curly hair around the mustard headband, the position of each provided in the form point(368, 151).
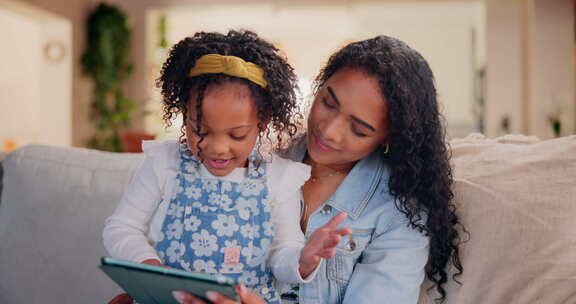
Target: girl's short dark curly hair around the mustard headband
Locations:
point(276, 104)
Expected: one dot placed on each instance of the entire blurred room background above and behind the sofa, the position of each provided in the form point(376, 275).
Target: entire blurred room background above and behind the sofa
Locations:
point(501, 66)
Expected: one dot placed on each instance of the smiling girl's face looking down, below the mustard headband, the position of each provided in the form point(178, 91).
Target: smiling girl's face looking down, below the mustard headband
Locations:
point(229, 127)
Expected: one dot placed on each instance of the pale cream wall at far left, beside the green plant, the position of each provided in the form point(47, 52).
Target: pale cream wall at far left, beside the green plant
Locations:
point(34, 90)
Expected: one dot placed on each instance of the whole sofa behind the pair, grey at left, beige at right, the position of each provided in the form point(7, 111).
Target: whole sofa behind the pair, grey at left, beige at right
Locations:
point(516, 196)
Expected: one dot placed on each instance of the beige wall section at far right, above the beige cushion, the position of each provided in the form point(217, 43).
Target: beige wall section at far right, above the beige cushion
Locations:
point(530, 57)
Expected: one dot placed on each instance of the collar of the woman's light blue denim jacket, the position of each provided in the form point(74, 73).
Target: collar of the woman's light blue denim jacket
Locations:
point(354, 193)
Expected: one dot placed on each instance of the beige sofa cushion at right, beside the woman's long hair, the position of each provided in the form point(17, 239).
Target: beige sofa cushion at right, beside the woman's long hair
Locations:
point(517, 198)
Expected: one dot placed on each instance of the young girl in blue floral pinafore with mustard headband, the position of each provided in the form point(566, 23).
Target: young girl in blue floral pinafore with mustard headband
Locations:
point(213, 202)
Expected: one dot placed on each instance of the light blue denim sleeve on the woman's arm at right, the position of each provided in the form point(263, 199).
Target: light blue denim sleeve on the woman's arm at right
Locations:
point(391, 268)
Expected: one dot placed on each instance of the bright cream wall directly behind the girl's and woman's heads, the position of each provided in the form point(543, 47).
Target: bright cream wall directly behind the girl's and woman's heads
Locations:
point(442, 32)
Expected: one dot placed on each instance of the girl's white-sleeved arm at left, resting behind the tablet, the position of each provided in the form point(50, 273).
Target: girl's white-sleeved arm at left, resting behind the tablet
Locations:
point(125, 232)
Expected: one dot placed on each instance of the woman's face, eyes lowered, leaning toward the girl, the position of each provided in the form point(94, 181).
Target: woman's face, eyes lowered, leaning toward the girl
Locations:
point(348, 119)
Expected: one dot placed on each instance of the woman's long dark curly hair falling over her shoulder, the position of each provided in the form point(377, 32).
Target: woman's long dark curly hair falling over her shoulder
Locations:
point(418, 158)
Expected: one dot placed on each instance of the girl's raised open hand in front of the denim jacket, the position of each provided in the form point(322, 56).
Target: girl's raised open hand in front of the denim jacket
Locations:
point(321, 244)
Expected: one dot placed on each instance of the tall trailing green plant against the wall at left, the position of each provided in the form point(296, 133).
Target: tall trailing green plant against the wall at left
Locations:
point(105, 60)
